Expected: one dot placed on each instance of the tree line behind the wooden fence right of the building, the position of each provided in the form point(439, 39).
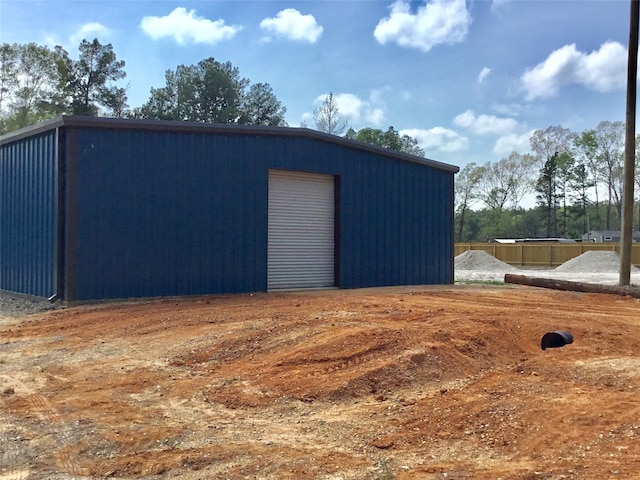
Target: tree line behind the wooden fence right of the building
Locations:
point(574, 181)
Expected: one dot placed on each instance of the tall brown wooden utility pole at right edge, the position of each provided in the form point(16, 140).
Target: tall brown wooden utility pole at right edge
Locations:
point(629, 148)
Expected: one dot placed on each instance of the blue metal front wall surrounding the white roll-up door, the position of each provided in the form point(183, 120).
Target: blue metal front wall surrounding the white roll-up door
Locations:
point(172, 213)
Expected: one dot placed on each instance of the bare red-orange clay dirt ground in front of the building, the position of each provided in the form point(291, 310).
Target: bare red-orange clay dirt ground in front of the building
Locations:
point(412, 382)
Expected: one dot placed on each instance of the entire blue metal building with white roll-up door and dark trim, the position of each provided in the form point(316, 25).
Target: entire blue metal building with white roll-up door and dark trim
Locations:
point(97, 208)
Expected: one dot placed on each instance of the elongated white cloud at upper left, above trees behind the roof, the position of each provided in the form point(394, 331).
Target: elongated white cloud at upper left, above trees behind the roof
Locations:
point(187, 27)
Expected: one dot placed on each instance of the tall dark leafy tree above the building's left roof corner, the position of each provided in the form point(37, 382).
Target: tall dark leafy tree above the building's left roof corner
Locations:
point(88, 83)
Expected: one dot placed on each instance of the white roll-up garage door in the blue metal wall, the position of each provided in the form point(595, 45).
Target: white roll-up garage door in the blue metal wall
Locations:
point(301, 230)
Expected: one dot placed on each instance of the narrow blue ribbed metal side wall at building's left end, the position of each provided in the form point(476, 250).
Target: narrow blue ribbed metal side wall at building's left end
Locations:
point(28, 215)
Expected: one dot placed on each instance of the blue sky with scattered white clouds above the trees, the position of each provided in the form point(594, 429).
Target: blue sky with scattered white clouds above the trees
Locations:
point(469, 79)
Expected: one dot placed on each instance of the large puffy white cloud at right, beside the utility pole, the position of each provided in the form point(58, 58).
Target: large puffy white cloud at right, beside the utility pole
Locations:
point(601, 70)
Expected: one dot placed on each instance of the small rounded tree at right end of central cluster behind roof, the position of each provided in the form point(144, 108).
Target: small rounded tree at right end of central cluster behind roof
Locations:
point(260, 106)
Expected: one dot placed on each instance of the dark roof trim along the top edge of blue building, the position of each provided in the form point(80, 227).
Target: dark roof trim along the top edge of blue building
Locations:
point(176, 126)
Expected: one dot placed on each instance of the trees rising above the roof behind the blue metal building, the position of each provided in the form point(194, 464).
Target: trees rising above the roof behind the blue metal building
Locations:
point(38, 83)
